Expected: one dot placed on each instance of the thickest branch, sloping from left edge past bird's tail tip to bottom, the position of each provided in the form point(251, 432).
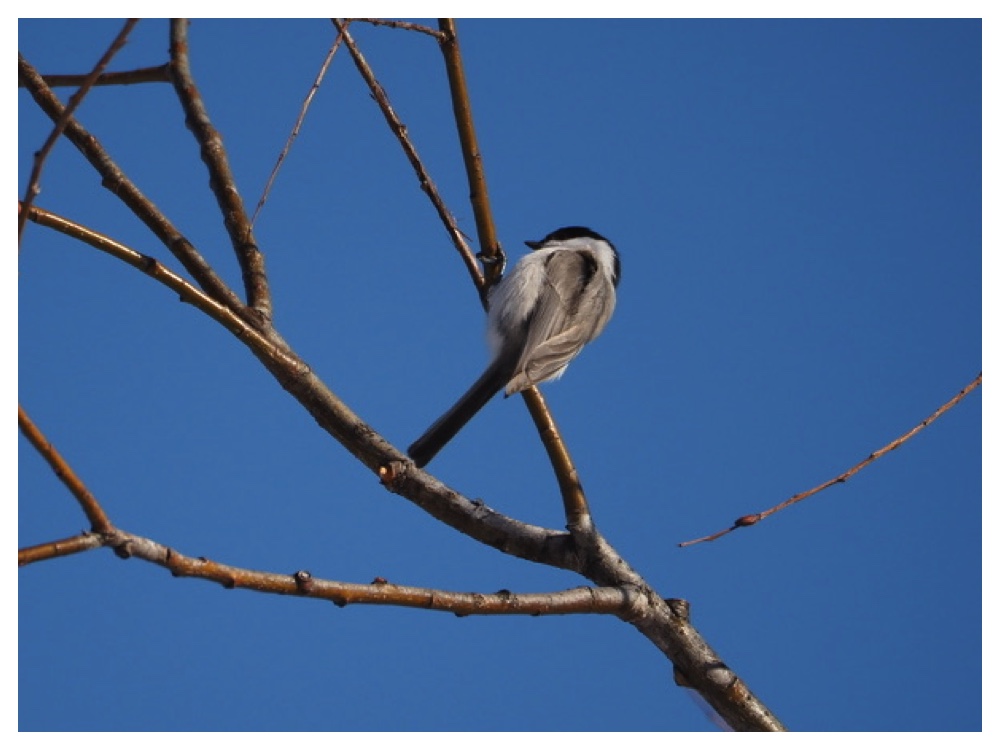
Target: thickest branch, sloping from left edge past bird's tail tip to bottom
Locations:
point(665, 623)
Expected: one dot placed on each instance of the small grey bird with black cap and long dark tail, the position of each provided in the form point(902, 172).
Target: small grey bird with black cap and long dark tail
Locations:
point(558, 298)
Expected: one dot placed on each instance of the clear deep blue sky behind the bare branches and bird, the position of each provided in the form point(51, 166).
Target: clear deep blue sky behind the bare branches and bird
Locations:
point(798, 209)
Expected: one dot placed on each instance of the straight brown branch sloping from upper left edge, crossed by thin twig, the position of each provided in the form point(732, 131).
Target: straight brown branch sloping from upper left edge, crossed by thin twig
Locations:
point(114, 180)
